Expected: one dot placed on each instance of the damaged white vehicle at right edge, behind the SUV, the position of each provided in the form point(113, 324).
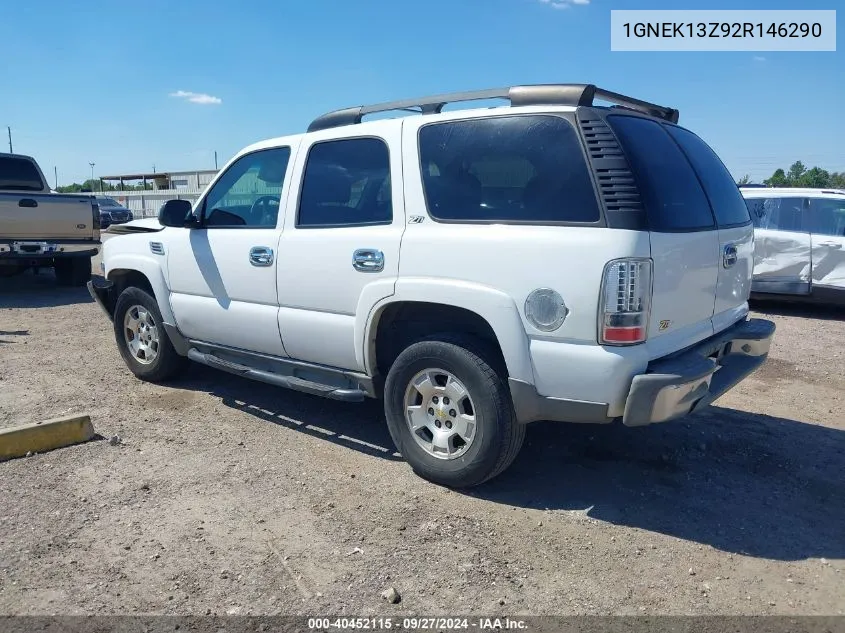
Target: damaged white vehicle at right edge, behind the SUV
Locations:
point(799, 243)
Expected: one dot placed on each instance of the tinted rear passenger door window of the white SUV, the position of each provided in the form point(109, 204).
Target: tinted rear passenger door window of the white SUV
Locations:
point(346, 182)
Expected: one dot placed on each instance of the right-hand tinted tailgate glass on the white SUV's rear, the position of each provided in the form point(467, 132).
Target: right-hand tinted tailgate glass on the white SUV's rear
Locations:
point(725, 199)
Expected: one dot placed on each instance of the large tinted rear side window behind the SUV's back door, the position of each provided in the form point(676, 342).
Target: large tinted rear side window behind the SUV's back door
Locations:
point(514, 168)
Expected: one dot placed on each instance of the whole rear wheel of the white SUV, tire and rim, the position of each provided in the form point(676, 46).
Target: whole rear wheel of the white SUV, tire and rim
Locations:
point(454, 364)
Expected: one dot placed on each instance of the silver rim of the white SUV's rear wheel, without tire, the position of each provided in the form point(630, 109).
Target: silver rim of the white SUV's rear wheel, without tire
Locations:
point(440, 414)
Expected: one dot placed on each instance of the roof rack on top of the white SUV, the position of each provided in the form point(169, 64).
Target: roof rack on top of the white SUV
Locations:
point(537, 94)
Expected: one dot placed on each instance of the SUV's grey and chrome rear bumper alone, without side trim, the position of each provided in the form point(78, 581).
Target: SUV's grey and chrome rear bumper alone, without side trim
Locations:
point(682, 384)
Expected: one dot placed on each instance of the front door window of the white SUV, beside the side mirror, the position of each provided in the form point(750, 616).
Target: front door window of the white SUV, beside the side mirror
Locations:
point(248, 193)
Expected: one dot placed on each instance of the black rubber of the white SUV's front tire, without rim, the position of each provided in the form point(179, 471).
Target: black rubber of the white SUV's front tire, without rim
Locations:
point(167, 363)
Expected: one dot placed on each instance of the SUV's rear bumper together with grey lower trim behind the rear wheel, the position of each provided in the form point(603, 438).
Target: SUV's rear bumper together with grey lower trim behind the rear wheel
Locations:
point(668, 388)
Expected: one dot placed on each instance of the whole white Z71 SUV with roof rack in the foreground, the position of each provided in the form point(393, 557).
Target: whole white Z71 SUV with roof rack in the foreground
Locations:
point(478, 269)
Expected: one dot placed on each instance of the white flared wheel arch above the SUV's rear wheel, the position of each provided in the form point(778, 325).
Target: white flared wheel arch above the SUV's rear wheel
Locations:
point(494, 306)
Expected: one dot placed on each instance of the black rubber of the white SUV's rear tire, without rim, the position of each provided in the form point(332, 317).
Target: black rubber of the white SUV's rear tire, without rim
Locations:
point(498, 436)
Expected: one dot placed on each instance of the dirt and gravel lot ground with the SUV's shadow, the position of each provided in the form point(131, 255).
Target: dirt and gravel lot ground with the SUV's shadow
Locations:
point(228, 496)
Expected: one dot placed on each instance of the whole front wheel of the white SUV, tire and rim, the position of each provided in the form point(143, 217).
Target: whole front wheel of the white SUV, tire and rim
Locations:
point(142, 339)
